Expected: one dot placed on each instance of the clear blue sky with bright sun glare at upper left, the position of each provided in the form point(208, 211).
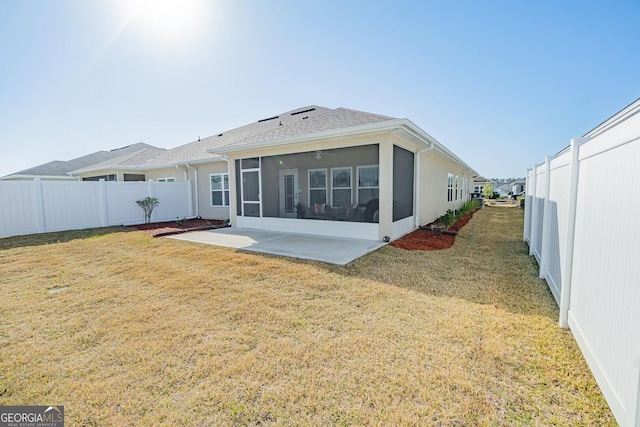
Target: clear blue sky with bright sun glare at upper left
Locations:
point(500, 83)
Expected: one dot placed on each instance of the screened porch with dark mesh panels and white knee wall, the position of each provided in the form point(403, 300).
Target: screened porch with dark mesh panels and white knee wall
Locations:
point(339, 191)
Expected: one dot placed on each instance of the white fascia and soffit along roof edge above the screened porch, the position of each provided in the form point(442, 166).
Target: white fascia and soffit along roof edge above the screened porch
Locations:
point(373, 128)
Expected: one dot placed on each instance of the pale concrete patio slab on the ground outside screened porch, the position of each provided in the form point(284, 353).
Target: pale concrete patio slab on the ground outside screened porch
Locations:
point(331, 250)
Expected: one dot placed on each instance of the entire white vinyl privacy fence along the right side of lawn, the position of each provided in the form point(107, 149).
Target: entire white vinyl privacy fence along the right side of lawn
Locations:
point(582, 224)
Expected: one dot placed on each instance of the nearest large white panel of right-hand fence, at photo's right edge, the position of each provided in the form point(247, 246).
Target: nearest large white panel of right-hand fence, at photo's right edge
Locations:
point(604, 290)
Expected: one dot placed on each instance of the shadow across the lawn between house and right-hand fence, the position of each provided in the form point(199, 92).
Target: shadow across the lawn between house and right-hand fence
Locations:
point(488, 264)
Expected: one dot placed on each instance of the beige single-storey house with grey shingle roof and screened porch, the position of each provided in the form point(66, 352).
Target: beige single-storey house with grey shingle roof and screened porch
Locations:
point(314, 170)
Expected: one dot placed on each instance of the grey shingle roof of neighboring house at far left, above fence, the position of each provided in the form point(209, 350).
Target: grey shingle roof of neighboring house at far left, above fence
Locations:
point(59, 168)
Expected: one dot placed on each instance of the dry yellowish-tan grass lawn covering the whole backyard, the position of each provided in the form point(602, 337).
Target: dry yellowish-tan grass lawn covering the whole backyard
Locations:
point(124, 329)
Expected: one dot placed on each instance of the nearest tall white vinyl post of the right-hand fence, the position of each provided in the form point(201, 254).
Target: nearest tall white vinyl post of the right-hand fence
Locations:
point(565, 290)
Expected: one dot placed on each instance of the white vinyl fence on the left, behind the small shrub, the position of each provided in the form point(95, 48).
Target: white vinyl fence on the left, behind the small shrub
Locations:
point(28, 207)
